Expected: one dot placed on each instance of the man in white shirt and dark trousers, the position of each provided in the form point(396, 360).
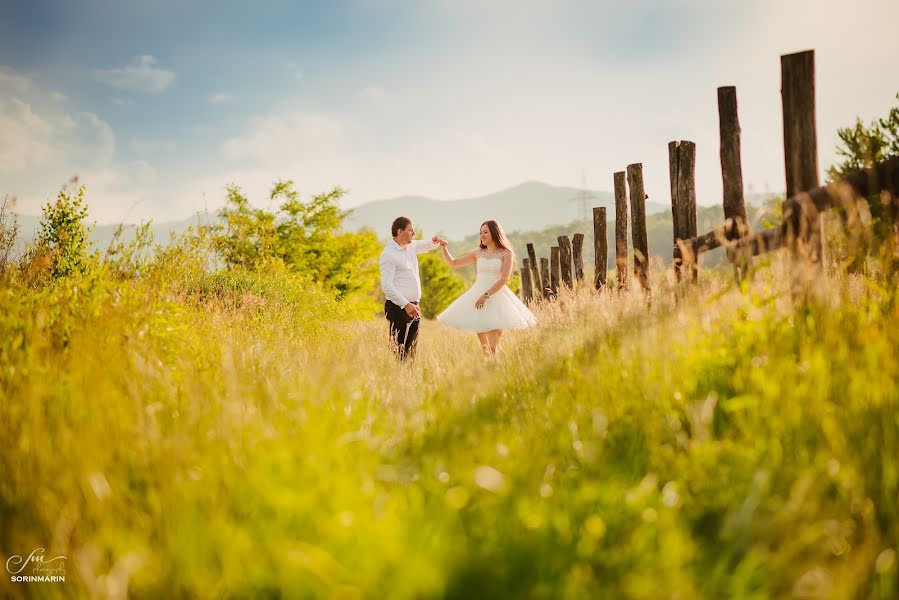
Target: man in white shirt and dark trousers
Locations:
point(401, 283)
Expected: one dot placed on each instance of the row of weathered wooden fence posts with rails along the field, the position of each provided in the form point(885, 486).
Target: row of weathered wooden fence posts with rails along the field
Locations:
point(802, 211)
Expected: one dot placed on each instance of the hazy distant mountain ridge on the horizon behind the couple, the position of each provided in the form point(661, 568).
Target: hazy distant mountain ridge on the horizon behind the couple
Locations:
point(527, 207)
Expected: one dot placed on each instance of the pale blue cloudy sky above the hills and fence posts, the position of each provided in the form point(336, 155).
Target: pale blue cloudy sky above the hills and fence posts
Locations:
point(158, 105)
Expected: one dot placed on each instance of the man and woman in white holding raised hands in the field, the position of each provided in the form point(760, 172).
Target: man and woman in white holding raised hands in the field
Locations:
point(487, 308)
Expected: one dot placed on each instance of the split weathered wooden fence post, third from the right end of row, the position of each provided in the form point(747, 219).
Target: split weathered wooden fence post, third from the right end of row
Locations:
point(682, 171)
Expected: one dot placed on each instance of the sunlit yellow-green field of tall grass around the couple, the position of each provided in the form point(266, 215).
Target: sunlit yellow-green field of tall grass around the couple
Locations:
point(245, 439)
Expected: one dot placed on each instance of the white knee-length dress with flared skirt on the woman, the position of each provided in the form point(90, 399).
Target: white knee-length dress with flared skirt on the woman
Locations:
point(502, 311)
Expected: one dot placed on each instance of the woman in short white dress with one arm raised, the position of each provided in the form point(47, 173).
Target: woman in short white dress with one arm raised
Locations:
point(488, 306)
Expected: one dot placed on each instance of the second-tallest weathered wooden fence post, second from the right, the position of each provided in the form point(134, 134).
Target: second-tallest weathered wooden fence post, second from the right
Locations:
point(736, 223)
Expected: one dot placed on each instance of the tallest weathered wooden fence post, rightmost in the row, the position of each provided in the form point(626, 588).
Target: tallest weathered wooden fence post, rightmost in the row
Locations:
point(801, 151)
